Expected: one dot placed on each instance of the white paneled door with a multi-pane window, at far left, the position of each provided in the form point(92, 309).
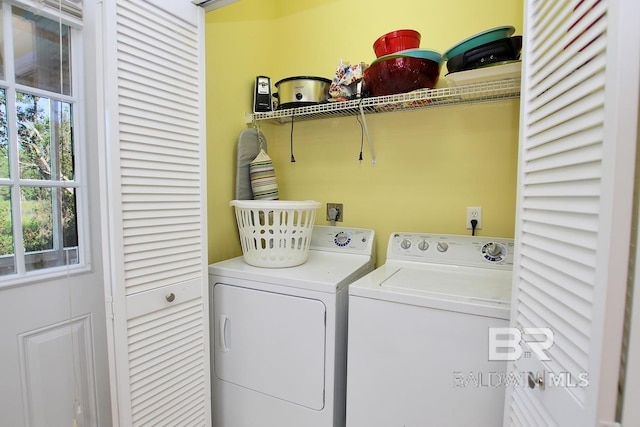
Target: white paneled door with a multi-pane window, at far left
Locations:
point(53, 354)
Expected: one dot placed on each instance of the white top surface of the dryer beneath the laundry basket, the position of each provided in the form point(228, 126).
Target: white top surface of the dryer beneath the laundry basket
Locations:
point(323, 271)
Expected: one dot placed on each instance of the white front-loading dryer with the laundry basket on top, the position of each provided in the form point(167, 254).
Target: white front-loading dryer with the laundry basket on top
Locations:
point(279, 335)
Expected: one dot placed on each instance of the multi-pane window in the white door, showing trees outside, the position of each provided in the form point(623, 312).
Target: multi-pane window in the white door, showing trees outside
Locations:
point(40, 185)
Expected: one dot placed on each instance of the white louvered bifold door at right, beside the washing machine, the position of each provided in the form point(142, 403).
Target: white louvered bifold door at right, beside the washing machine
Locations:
point(576, 166)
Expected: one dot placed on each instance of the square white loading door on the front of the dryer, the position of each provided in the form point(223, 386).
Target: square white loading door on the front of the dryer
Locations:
point(270, 343)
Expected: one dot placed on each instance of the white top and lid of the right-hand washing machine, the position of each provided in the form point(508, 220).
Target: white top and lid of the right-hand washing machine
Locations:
point(468, 290)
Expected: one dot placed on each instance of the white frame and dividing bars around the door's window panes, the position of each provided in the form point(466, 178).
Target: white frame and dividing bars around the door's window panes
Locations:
point(14, 182)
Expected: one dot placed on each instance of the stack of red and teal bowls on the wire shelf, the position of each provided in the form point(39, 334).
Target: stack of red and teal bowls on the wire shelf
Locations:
point(401, 66)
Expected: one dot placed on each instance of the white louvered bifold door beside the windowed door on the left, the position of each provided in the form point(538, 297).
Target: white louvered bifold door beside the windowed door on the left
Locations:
point(158, 212)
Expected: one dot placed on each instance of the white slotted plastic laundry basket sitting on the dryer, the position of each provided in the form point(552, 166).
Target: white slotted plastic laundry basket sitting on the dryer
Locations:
point(275, 233)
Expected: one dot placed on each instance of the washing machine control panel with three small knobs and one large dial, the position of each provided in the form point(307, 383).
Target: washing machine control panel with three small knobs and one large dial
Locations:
point(496, 252)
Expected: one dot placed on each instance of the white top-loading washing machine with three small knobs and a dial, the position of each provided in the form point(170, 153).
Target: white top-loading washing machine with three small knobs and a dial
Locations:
point(419, 333)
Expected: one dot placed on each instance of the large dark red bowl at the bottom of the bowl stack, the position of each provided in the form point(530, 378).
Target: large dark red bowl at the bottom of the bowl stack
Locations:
point(399, 75)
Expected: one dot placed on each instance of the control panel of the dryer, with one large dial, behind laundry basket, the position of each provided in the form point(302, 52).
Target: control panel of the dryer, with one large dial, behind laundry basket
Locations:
point(342, 239)
